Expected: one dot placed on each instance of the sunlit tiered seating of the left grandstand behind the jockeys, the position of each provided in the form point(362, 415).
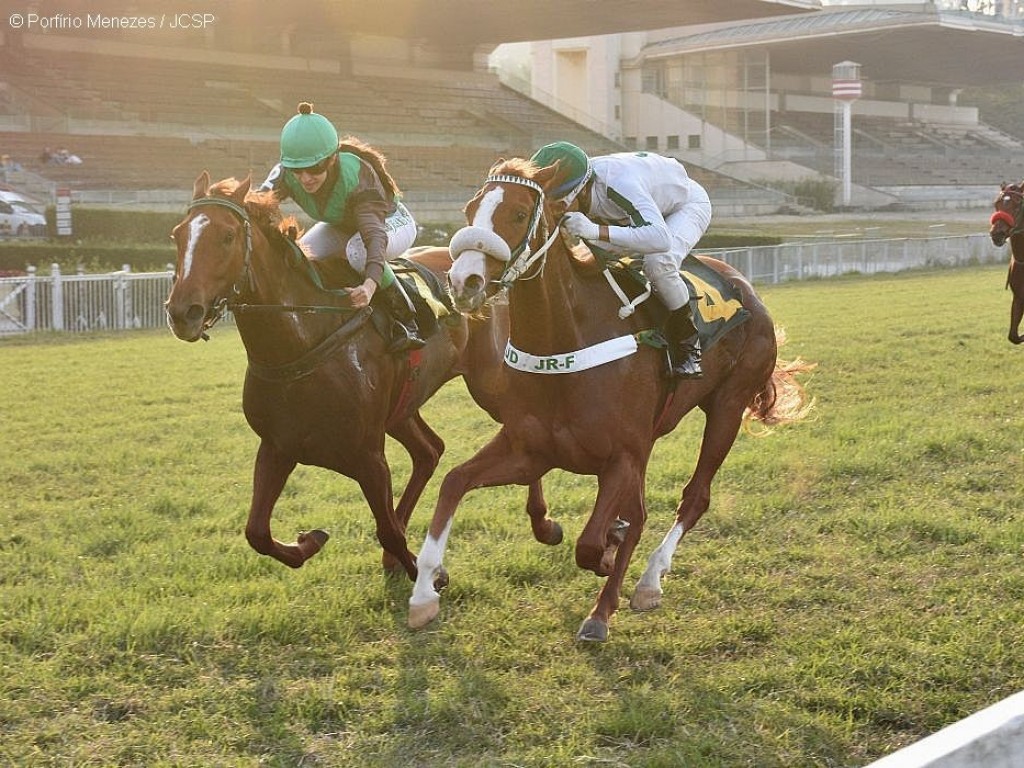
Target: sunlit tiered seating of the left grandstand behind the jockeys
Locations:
point(147, 124)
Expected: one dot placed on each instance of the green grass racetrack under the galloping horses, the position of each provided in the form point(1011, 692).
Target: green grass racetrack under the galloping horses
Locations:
point(857, 585)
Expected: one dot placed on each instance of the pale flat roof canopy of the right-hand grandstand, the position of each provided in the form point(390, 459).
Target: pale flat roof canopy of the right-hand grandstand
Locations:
point(924, 47)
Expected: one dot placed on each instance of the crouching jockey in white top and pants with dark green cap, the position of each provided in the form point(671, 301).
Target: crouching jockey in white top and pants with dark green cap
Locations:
point(645, 205)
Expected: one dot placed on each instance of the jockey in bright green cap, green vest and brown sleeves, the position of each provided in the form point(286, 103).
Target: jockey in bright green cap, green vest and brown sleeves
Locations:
point(346, 188)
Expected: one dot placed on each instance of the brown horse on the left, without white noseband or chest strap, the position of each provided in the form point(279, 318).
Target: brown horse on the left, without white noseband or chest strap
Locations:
point(321, 389)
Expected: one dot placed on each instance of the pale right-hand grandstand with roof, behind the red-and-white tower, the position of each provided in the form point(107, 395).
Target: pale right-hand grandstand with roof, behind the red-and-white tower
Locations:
point(753, 99)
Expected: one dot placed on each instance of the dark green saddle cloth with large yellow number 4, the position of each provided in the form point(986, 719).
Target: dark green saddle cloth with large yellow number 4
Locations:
point(715, 304)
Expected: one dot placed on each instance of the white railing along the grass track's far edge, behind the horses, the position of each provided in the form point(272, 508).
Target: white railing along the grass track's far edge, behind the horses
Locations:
point(125, 301)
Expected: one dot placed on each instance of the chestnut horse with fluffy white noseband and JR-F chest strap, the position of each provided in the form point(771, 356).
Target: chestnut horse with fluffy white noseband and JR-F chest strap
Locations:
point(602, 420)
